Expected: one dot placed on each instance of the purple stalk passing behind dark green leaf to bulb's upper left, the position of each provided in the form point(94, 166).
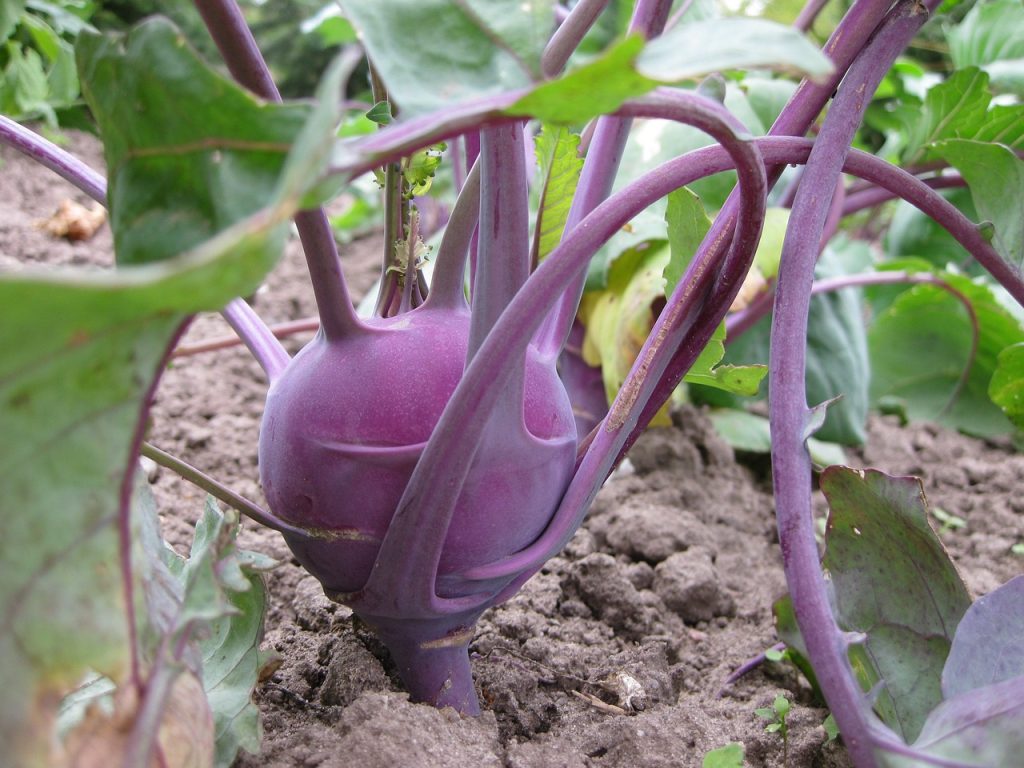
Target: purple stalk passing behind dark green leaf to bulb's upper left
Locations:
point(228, 27)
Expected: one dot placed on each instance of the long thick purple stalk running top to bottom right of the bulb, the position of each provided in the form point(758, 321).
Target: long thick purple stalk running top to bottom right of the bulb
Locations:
point(791, 418)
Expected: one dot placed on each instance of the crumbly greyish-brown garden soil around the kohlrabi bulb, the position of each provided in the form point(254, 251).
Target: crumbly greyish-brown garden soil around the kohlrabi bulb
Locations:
point(669, 585)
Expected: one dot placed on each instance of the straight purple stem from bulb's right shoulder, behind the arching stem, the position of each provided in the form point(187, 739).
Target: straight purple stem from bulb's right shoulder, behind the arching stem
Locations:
point(604, 158)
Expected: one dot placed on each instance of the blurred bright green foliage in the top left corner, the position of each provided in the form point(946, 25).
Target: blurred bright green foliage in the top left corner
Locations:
point(38, 79)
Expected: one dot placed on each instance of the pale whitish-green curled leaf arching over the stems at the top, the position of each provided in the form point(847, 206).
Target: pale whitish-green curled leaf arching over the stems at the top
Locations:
point(691, 51)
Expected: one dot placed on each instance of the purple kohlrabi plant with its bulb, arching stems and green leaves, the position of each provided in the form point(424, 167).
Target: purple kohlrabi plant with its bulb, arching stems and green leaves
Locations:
point(424, 461)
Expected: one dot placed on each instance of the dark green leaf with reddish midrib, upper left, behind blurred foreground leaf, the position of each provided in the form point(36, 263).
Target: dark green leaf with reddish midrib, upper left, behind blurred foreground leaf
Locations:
point(175, 183)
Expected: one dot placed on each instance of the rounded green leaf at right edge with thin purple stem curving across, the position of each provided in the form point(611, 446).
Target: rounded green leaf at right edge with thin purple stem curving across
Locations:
point(920, 346)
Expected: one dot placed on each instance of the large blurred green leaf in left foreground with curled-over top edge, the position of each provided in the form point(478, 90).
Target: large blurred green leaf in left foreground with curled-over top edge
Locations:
point(79, 352)
